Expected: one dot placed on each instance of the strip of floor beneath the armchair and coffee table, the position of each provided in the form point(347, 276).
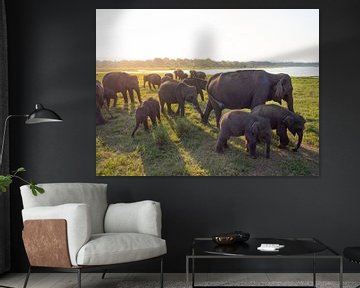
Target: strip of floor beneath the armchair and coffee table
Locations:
point(116, 280)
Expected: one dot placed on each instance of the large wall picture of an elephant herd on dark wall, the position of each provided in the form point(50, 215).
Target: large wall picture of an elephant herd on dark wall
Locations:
point(216, 92)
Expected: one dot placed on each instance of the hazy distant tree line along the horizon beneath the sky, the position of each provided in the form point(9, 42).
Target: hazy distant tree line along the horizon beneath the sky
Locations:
point(193, 63)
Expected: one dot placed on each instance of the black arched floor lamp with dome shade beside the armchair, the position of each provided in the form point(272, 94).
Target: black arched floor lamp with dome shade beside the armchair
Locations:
point(39, 115)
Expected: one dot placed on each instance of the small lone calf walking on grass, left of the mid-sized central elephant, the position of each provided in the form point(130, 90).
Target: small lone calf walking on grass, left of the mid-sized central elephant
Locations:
point(149, 108)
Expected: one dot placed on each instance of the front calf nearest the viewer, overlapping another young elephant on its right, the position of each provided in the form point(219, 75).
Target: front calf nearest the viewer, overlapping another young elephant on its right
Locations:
point(237, 123)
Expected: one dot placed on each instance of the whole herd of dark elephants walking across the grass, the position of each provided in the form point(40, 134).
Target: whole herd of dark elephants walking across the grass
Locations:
point(229, 90)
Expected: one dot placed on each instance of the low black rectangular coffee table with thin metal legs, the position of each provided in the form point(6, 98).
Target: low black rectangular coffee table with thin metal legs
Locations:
point(295, 248)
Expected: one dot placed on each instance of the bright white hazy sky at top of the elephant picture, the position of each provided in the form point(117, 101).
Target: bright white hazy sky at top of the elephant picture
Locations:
point(242, 35)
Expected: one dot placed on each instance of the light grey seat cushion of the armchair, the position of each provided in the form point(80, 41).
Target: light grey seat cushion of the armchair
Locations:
point(114, 248)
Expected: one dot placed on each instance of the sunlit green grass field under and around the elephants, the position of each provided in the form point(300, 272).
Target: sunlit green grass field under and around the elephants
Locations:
point(186, 147)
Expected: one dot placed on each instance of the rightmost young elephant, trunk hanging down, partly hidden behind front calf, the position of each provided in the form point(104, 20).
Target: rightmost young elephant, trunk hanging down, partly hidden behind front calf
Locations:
point(282, 120)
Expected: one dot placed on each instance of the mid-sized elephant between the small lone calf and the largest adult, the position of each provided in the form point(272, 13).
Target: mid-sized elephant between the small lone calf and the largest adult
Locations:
point(172, 92)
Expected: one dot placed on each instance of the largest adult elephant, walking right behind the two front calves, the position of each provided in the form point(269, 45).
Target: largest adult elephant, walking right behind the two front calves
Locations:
point(246, 89)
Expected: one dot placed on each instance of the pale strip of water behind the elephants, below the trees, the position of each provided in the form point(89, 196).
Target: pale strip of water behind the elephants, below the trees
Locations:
point(292, 71)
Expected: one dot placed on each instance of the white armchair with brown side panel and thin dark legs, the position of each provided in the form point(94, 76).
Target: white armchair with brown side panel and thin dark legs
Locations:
point(72, 228)
